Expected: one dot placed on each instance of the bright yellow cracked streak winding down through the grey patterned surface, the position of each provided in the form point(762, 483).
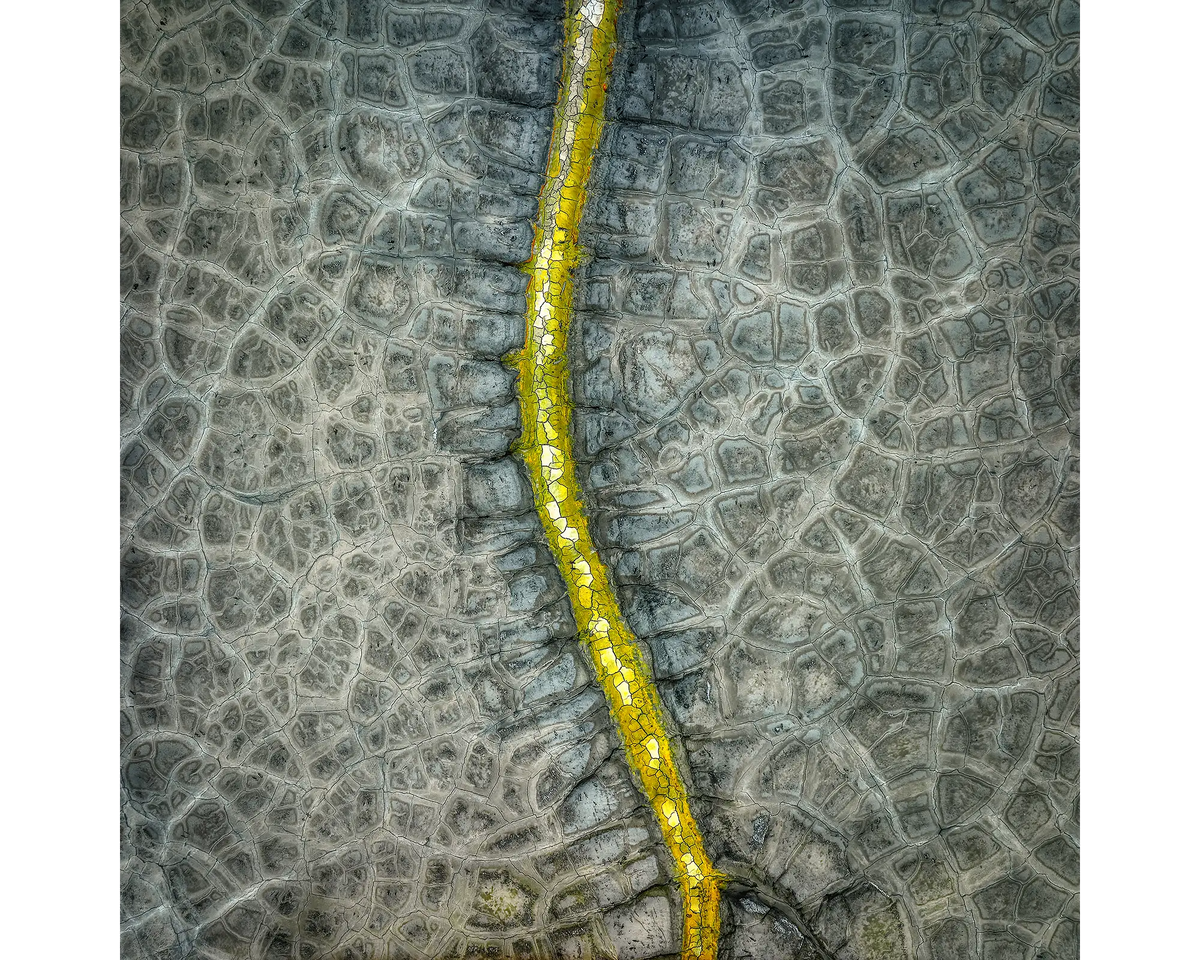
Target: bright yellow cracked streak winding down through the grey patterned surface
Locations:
point(547, 447)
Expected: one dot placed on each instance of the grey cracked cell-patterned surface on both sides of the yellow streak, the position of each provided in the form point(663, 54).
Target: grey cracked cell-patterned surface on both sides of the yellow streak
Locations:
point(827, 371)
